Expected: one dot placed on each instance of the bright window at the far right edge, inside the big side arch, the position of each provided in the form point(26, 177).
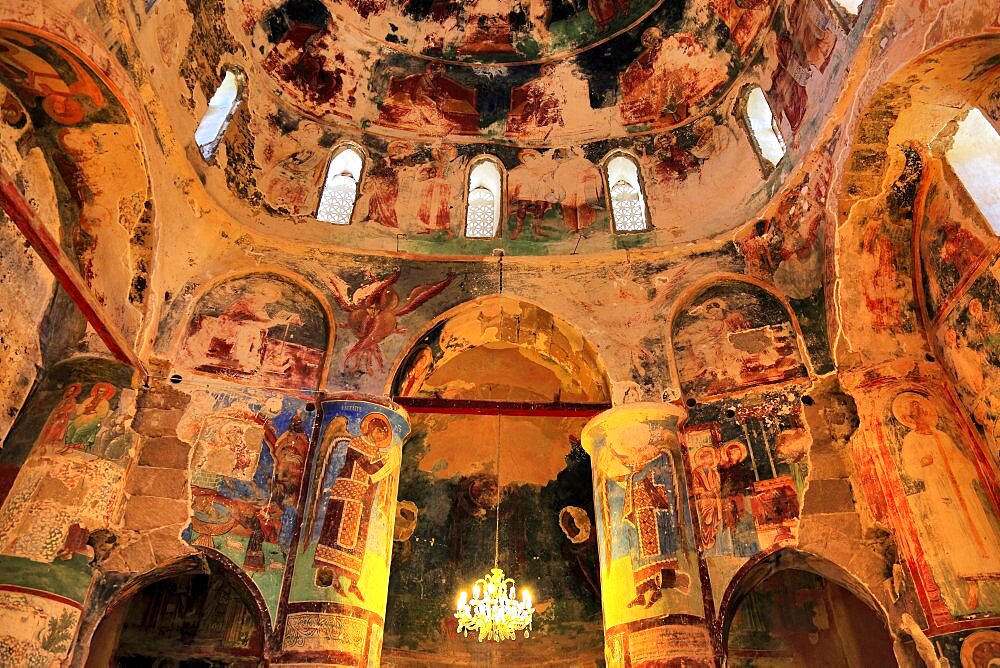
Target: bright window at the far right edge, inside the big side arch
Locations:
point(975, 157)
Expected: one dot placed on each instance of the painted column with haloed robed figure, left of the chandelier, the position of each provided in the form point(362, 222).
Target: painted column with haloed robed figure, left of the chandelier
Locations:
point(336, 600)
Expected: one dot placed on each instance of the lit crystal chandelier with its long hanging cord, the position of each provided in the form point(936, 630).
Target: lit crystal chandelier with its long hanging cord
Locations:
point(494, 611)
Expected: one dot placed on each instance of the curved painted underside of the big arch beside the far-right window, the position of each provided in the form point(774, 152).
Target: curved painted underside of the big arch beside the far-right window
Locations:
point(884, 195)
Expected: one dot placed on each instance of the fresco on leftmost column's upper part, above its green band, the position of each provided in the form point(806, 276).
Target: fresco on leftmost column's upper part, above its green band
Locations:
point(66, 459)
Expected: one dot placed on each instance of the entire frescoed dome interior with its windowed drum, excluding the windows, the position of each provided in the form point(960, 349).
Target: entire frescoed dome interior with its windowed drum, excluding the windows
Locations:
point(664, 84)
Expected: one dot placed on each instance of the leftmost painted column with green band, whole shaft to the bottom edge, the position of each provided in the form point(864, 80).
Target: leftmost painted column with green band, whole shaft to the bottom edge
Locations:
point(62, 476)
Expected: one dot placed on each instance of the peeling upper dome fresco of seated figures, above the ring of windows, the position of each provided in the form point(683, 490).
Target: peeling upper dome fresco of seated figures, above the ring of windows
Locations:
point(515, 71)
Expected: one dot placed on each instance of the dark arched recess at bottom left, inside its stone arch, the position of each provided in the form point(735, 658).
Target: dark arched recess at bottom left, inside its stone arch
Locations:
point(229, 617)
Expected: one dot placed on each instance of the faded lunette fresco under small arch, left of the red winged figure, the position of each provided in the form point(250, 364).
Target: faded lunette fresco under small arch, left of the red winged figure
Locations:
point(295, 304)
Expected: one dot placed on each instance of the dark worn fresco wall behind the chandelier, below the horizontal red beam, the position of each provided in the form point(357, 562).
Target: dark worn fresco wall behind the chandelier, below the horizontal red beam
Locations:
point(449, 499)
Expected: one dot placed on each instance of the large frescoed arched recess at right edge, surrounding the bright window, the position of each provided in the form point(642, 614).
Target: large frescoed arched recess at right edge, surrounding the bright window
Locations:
point(917, 272)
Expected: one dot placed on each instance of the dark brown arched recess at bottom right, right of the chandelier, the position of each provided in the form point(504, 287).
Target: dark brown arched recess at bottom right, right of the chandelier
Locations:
point(783, 597)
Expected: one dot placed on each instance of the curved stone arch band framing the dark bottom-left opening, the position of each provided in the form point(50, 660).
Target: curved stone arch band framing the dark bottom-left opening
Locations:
point(109, 604)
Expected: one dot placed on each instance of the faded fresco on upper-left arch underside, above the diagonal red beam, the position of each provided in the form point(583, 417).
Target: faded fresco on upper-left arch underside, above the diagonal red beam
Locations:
point(96, 164)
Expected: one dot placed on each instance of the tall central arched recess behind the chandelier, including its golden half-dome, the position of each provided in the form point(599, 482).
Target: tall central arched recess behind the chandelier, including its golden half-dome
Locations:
point(496, 375)
